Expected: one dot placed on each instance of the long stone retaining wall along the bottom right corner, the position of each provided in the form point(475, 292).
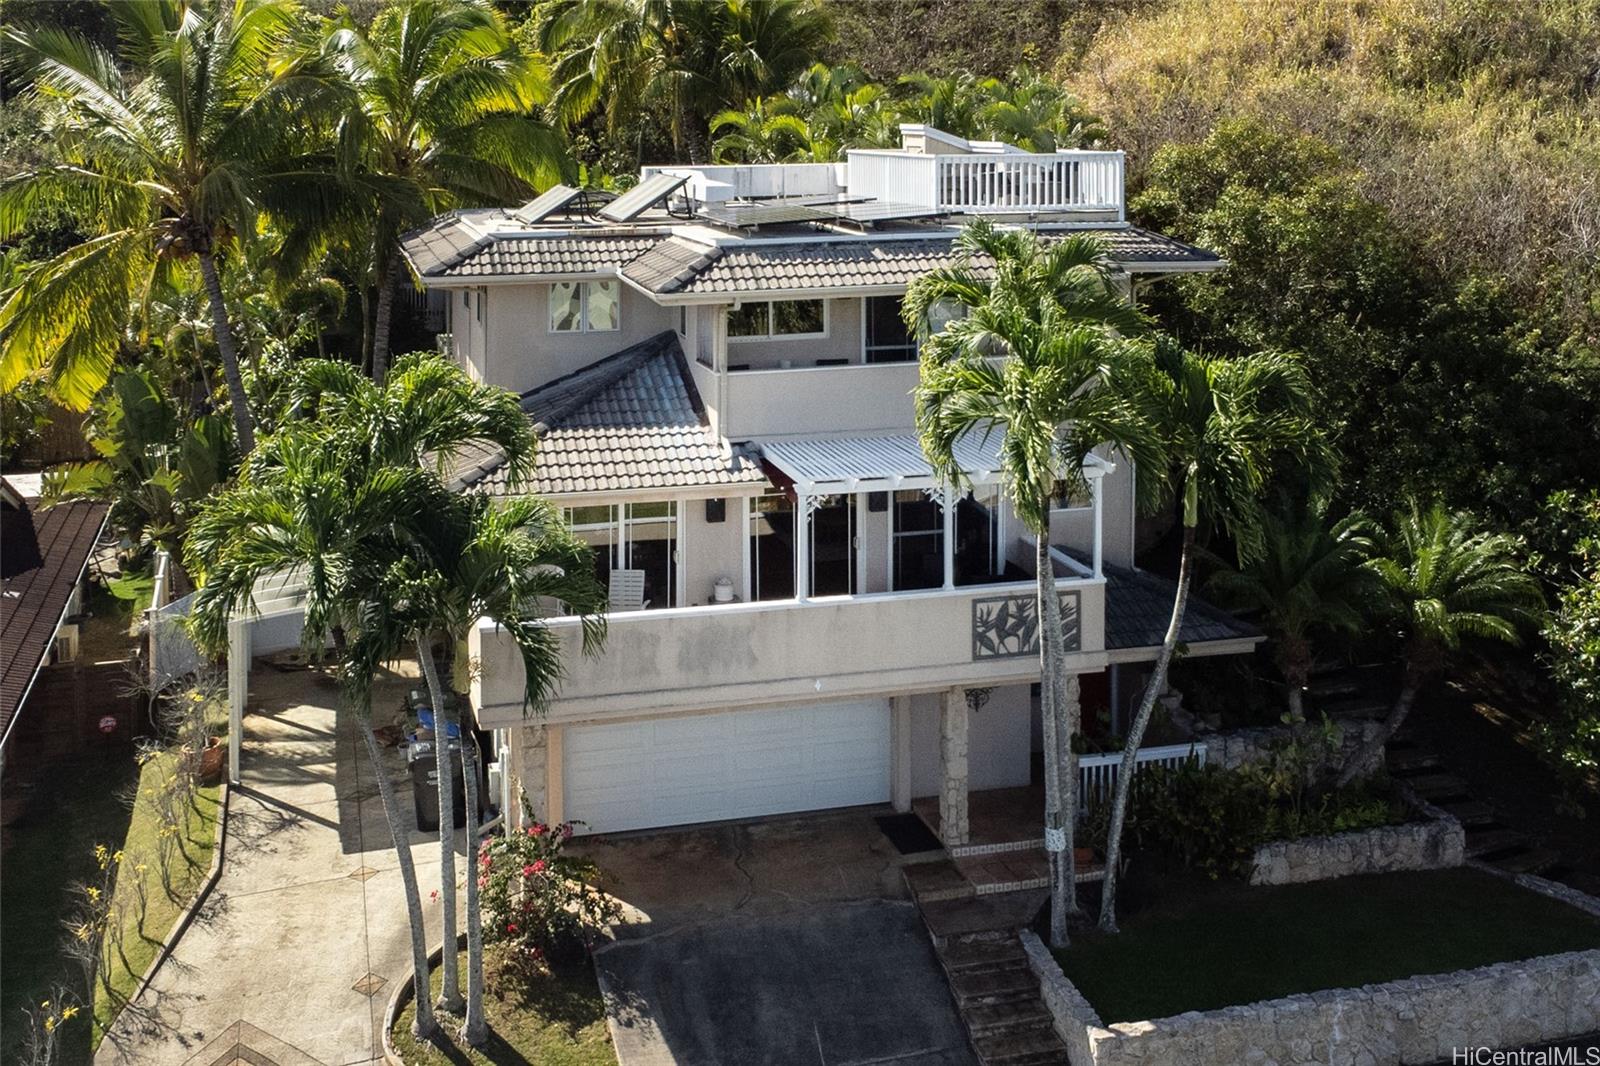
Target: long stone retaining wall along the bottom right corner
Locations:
point(1415, 1020)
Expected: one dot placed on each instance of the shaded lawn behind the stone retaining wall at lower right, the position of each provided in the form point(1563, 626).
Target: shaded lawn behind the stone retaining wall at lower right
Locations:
point(1223, 944)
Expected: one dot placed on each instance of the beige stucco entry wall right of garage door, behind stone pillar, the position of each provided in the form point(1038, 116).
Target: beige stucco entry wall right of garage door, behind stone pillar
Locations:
point(998, 745)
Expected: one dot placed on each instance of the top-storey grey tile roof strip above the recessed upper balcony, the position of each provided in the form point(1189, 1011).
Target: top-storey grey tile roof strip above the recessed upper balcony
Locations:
point(681, 266)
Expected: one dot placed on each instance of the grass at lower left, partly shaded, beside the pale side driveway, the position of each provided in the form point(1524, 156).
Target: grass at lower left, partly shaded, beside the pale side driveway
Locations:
point(82, 806)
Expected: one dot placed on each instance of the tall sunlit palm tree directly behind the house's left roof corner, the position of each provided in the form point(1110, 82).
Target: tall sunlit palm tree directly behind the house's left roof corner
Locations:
point(439, 111)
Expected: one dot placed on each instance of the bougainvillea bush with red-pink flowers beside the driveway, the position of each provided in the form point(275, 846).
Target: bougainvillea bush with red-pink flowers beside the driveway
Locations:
point(538, 902)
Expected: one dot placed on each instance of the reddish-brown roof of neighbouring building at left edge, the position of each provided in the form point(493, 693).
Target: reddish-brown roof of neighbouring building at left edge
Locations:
point(34, 599)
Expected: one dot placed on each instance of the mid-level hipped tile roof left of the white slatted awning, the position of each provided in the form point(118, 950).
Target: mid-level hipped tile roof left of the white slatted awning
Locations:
point(630, 422)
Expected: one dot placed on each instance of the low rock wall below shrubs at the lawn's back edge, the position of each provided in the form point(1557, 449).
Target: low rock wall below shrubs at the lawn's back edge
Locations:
point(1433, 844)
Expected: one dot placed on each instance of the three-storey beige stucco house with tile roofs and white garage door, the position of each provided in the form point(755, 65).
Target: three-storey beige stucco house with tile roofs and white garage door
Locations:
point(802, 615)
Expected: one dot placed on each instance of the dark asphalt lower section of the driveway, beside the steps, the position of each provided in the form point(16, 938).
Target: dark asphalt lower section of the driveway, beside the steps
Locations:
point(826, 985)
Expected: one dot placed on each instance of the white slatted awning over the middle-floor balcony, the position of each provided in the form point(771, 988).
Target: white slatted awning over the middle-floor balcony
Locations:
point(823, 467)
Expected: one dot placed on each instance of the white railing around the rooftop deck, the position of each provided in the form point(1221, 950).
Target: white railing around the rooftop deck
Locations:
point(1010, 183)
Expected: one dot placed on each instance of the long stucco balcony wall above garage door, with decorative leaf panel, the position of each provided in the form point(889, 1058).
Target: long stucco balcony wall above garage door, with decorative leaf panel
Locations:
point(753, 654)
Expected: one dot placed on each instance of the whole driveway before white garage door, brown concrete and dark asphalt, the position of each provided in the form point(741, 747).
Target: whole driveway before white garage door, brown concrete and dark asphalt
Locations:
point(783, 942)
